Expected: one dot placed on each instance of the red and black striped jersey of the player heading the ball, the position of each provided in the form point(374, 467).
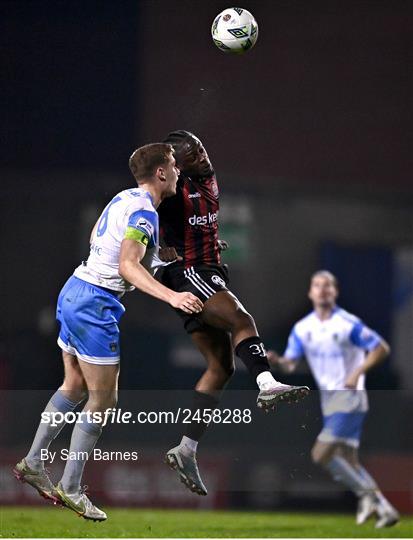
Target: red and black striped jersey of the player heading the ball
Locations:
point(189, 221)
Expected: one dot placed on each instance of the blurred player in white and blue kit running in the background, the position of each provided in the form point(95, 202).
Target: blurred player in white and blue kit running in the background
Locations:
point(340, 349)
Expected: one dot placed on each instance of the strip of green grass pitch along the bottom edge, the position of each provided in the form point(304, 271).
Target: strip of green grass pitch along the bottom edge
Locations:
point(23, 522)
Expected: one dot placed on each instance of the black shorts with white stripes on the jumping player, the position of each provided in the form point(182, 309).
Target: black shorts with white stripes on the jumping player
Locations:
point(203, 281)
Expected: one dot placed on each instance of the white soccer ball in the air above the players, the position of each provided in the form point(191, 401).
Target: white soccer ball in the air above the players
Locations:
point(234, 30)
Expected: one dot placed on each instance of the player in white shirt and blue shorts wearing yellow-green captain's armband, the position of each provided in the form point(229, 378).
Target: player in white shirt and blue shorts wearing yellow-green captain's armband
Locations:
point(123, 256)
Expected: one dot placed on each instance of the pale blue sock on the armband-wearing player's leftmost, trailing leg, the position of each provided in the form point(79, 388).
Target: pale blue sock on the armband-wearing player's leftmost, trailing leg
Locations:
point(47, 431)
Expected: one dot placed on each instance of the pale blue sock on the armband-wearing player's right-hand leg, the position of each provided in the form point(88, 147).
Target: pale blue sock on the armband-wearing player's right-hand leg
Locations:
point(84, 437)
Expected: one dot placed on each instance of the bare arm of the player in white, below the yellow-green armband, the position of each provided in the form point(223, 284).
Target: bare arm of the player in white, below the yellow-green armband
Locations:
point(130, 268)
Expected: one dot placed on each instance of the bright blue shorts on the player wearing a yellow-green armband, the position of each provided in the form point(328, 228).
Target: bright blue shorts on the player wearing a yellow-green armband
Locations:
point(89, 317)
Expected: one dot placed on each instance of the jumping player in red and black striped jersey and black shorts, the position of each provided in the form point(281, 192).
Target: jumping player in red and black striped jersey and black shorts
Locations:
point(189, 223)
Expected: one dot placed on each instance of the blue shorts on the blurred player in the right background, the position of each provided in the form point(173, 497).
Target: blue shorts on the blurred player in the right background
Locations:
point(344, 427)
